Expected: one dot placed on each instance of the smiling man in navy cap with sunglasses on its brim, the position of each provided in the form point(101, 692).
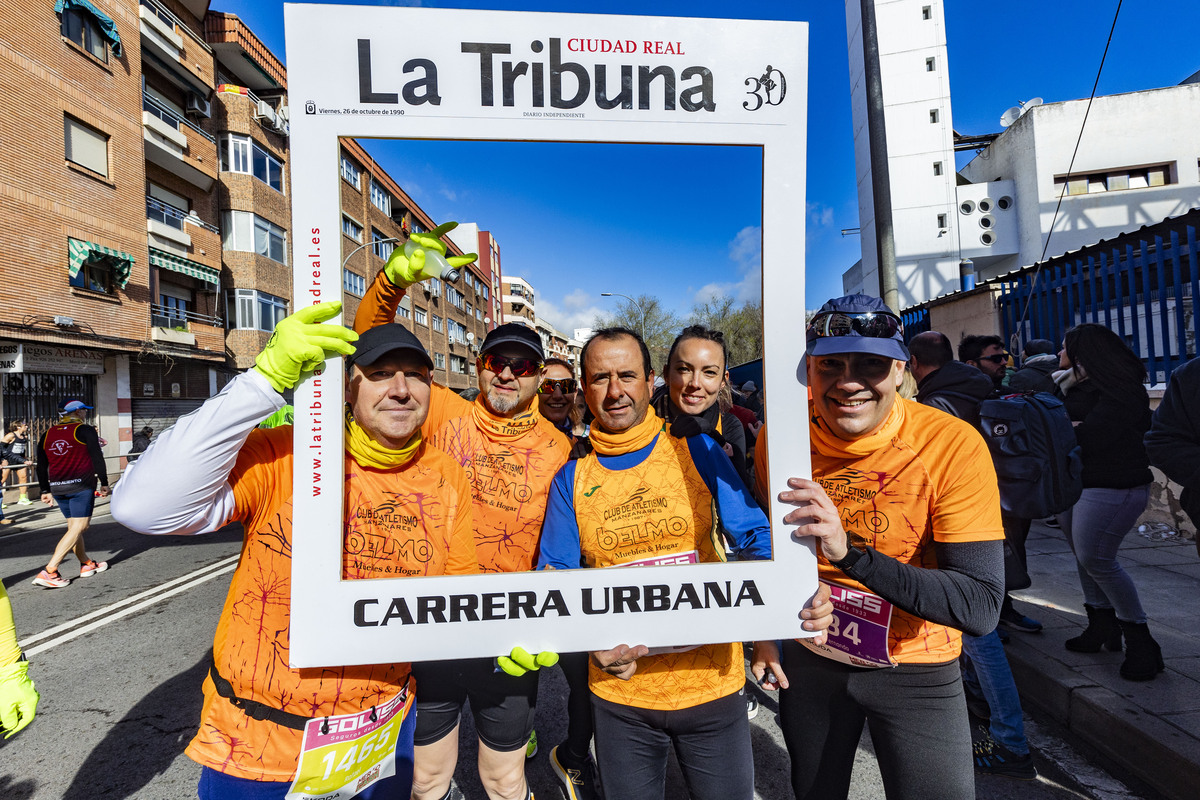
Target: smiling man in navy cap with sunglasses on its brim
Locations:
point(905, 510)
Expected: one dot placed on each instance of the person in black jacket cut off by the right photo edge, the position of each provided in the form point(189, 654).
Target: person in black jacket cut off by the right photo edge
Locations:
point(1174, 440)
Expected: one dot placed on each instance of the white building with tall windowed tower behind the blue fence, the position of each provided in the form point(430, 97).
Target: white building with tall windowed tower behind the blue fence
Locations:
point(1135, 166)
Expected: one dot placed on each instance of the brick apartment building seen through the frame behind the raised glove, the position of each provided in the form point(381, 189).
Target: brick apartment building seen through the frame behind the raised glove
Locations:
point(377, 218)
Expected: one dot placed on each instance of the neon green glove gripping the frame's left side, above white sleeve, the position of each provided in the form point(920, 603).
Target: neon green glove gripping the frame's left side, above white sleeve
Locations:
point(301, 345)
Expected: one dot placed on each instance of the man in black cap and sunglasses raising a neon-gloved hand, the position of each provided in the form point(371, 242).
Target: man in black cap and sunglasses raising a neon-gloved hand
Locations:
point(511, 454)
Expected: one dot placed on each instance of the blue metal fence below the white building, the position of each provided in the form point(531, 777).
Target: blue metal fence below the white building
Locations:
point(1142, 285)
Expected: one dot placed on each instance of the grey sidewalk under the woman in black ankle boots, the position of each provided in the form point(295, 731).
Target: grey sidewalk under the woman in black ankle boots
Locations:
point(1153, 730)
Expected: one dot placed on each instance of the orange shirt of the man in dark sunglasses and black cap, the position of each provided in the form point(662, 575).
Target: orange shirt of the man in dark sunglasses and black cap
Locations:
point(511, 482)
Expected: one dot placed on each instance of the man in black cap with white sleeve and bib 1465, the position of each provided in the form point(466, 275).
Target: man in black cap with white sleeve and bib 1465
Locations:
point(215, 467)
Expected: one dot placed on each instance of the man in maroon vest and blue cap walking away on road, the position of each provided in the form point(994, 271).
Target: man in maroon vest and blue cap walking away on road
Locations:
point(69, 466)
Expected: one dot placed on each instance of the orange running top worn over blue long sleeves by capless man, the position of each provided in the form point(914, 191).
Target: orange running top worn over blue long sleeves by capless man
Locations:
point(659, 508)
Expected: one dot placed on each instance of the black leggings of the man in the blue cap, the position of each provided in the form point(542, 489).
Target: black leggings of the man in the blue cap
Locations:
point(916, 713)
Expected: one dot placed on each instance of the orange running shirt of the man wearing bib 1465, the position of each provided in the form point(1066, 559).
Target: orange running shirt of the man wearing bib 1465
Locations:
point(412, 521)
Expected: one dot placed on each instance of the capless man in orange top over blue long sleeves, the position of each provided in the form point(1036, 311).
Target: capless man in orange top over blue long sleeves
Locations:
point(641, 479)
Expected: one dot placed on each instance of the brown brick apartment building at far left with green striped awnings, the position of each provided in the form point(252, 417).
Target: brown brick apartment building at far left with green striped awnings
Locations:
point(111, 250)
